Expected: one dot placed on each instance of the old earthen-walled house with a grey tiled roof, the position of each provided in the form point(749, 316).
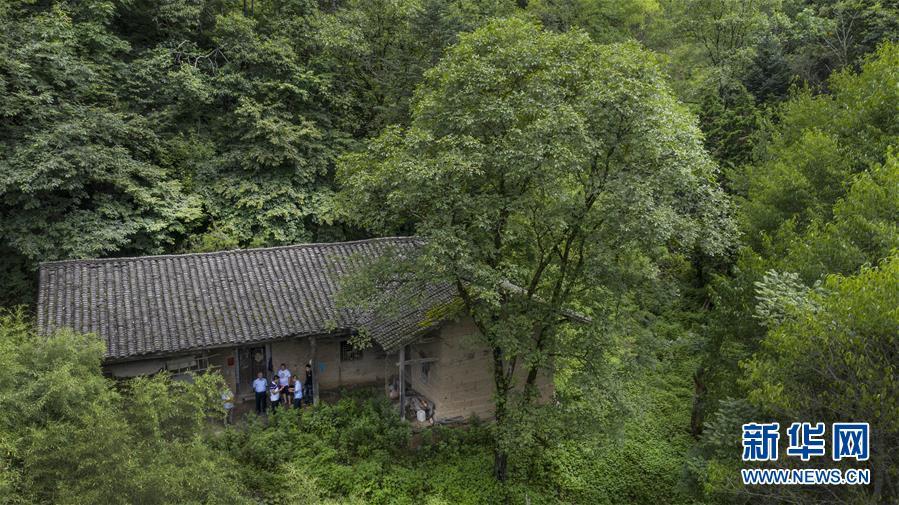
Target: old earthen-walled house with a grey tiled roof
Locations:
point(248, 311)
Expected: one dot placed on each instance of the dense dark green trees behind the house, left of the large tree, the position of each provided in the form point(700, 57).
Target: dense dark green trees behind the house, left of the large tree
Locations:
point(149, 127)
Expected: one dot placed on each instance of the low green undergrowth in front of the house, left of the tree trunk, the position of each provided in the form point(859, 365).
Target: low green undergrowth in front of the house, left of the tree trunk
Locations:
point(357, 451)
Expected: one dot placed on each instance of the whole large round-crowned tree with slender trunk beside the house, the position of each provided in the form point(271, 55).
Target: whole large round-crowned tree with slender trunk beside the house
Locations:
point(543, 173)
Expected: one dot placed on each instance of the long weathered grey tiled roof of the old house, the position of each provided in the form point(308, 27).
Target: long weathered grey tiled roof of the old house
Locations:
point(166, 304)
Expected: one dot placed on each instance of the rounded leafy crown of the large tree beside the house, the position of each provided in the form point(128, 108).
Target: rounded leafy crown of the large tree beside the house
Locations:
point(478, 142)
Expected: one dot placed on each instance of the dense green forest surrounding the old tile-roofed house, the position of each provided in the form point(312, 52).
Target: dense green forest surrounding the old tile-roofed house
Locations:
point(715, 183)
